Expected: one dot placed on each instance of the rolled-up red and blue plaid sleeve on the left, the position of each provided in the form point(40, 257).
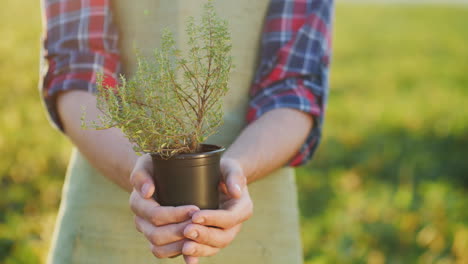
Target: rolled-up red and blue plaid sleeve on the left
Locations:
point(80, 41)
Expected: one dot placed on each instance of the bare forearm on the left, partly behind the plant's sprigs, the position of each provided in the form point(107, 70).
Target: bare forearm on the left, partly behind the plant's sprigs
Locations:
point(107, 150)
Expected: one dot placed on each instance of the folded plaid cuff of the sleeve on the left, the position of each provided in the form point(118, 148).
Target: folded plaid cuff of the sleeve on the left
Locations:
point(76, 71)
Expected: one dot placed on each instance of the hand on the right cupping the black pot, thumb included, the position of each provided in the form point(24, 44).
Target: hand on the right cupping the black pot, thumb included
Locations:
point(212, 230)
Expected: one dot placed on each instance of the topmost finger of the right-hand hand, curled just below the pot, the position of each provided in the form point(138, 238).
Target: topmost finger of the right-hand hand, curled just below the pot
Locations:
point(239, 212)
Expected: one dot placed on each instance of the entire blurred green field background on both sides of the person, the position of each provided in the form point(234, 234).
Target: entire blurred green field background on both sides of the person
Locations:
point(388, 184)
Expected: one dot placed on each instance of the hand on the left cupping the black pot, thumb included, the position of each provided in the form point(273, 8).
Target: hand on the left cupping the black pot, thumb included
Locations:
point(163, 226)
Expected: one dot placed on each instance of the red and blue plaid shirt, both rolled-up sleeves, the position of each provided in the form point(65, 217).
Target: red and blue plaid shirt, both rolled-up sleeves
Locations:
point(81, 40)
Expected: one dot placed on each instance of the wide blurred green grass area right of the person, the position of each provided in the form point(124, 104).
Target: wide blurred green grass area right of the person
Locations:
point(389, 182)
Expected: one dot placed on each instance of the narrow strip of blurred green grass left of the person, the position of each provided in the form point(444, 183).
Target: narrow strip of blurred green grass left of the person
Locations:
point(33, 155)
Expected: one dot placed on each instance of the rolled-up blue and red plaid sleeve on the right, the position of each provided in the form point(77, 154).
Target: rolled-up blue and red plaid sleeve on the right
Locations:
point(294, 65)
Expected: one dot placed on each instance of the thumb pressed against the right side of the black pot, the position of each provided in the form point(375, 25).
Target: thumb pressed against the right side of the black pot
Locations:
point(234, 177)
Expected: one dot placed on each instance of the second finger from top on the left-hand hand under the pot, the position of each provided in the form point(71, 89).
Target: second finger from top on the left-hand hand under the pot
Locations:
point(161, 235)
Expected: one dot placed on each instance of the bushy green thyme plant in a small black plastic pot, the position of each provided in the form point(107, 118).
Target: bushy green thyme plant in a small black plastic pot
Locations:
point(171, 105)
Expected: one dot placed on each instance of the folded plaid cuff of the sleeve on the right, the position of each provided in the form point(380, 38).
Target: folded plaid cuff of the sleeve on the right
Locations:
point(296, 93)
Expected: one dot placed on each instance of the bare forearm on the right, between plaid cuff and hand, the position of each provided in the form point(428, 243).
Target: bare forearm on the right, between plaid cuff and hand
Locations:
point(270, 142)
